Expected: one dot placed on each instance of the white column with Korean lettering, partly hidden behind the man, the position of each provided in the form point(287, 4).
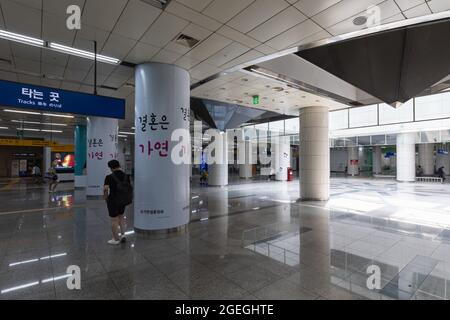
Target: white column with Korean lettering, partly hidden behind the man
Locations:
point(101, 148)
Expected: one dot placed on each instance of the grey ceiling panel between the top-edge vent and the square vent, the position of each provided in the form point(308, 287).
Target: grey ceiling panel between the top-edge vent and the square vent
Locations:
point(165, 29)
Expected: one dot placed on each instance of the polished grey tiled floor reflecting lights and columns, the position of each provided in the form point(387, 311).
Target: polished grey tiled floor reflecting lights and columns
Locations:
point(250, 240)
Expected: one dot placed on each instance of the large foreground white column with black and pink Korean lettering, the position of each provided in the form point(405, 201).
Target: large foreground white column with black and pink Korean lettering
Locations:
point(162, 186)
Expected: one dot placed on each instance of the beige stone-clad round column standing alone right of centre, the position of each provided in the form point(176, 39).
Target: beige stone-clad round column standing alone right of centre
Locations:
point(314, 154)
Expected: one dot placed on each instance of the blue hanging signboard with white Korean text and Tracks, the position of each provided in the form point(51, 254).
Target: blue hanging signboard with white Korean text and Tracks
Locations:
point(32, 97)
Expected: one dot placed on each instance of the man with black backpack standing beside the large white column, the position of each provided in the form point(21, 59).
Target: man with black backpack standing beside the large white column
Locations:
point(118, 193)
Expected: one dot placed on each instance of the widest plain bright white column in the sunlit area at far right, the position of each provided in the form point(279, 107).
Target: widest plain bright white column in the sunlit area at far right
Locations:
point(406, 157)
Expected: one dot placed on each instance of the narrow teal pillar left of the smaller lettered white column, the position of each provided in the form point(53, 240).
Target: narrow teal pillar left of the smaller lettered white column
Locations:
point(80, 156)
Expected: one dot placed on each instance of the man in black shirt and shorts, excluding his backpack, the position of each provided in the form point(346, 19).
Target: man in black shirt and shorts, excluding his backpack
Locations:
point(116, 212)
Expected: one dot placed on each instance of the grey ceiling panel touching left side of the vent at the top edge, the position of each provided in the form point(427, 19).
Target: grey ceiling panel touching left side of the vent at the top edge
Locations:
point(136, 19)
